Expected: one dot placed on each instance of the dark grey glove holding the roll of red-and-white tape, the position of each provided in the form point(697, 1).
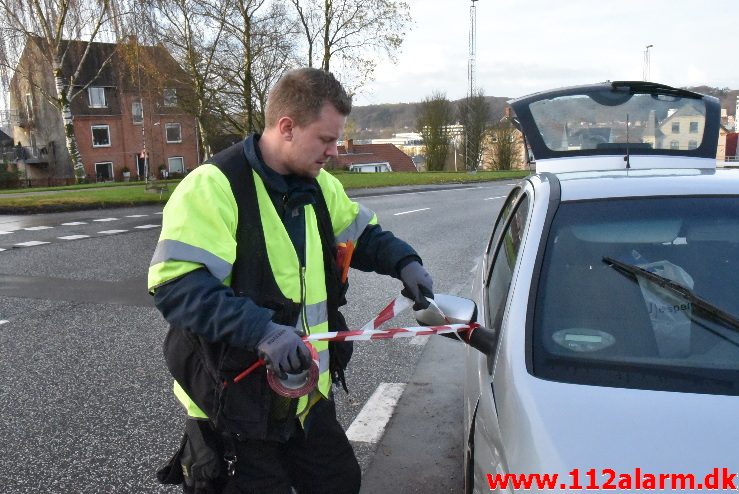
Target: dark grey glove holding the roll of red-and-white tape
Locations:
point(283, 350)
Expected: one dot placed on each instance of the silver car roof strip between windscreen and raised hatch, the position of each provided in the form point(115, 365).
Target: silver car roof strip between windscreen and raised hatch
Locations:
point(588, 185)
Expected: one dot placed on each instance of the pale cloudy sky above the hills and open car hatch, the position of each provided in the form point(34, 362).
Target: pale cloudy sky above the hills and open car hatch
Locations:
point(525, 46)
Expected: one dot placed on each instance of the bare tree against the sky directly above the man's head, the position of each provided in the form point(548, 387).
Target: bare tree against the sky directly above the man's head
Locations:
point(351, 30)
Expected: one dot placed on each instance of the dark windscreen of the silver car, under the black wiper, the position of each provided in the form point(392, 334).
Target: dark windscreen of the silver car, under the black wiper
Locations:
point(595, 324)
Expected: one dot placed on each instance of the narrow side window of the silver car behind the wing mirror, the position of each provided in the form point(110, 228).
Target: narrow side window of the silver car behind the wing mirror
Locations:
point(501, 274)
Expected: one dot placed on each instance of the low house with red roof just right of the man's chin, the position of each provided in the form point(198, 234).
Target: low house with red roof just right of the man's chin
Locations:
point(372, 158)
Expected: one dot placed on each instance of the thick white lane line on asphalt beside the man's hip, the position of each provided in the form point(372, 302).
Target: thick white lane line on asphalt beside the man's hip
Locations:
point(370, 424)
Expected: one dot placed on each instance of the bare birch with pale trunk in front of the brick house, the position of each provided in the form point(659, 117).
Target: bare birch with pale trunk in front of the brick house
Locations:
point(43, 28)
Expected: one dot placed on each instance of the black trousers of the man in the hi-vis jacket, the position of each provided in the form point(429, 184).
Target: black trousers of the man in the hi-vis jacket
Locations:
point(318, 459)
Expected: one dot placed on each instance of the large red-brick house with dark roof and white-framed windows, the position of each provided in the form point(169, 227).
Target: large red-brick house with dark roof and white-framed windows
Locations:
point(125, 109)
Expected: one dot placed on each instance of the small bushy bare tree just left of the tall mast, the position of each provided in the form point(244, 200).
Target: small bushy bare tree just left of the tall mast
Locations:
point(435, 114)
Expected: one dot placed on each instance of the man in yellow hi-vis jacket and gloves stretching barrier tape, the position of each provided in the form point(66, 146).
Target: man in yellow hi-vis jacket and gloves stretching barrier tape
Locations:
point(245, 264)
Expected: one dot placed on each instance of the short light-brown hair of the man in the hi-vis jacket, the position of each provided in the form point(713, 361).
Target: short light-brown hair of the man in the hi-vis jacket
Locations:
point(300, 94)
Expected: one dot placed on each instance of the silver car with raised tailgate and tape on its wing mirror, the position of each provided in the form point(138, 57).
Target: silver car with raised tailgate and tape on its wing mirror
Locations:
point(611, 283)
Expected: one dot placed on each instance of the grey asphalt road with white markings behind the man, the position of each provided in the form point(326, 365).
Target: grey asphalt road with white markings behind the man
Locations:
point(85, 400)
